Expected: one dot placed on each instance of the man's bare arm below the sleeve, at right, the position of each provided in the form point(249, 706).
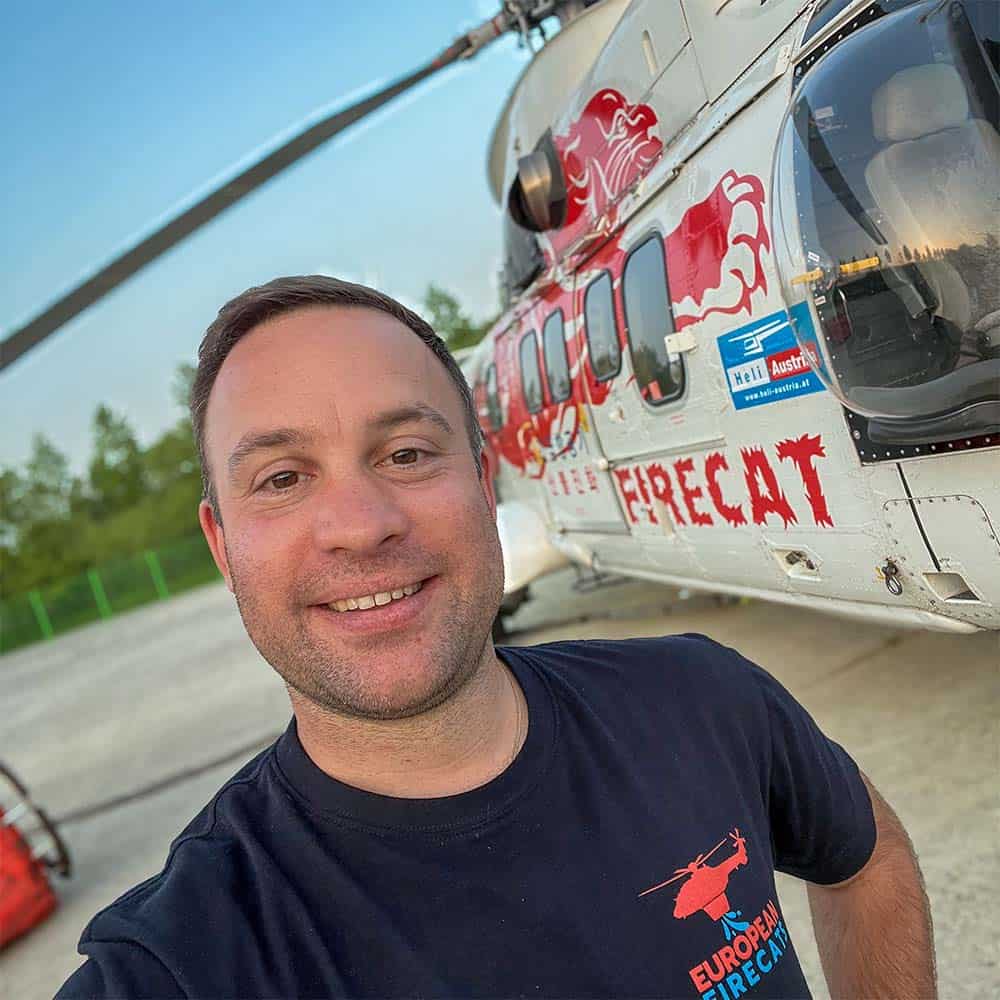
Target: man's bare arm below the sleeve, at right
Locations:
point(874, 930)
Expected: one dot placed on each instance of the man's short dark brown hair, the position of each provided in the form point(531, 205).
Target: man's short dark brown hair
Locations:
point(248, 310)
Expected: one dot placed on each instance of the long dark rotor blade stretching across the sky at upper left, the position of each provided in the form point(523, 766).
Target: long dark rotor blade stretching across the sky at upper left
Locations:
point(121, 268)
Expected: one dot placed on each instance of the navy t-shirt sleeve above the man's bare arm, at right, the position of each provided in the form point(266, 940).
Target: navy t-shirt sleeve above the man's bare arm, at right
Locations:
point(822, 823)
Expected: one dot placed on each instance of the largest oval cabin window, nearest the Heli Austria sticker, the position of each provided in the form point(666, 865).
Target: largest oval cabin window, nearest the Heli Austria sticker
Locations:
point(659, 375)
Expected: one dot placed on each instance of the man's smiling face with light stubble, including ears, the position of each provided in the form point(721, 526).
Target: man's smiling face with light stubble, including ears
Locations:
point(337, 445)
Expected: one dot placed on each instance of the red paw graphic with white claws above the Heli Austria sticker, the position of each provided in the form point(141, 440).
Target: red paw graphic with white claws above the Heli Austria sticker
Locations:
point(714, 255)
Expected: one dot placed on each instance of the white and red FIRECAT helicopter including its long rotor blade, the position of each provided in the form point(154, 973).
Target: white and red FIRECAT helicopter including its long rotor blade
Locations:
point(750, 341)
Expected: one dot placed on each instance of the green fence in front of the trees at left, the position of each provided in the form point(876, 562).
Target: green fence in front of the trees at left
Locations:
point(105, 590)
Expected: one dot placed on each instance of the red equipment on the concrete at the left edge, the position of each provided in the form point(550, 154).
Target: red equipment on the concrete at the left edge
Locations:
point(29, 848)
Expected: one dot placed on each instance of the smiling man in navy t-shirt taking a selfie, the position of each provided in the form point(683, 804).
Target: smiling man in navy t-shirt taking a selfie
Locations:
point(443, 818)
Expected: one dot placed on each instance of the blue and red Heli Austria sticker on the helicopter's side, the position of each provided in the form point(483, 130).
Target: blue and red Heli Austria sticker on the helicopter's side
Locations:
point(764, 363)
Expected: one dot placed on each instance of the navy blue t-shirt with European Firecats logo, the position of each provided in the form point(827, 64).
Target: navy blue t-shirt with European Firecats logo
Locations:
point(628, 851)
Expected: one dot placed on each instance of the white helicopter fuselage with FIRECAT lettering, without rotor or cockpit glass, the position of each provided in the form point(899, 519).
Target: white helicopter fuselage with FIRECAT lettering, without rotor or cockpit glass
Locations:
point(722, 460)
